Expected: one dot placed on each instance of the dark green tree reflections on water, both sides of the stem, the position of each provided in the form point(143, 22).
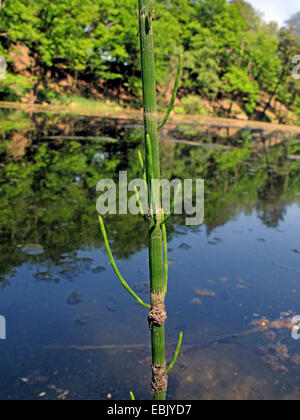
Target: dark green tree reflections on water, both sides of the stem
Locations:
point(48, 195)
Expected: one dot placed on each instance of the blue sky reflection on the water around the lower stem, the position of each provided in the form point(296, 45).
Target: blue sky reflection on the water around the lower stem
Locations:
point(250, 267)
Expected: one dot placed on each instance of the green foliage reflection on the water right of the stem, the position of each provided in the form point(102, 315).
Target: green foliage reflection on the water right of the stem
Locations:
point(237, 180)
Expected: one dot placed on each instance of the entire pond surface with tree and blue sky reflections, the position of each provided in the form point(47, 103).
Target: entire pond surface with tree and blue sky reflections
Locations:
point(73, 332)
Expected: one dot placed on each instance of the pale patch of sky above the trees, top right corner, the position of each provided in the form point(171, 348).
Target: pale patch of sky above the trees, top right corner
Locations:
point(278, 10)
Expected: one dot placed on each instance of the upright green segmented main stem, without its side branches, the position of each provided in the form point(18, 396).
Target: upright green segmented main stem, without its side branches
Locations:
point(153, 172)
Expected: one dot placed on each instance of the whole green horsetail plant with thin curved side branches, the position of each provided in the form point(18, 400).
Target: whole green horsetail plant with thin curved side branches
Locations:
point(154, 214)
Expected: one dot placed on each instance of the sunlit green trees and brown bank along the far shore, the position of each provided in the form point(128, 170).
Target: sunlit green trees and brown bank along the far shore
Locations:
point(235, 65)
